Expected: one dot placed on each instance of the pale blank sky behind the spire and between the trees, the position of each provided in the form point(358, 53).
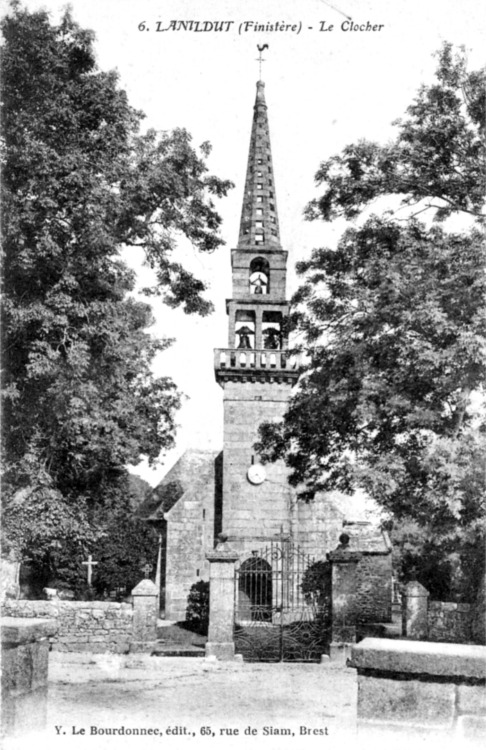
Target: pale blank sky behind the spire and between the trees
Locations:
point(325, 88)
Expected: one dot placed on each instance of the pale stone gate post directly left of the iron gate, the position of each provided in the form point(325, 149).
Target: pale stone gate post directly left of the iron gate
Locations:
point(221, 601)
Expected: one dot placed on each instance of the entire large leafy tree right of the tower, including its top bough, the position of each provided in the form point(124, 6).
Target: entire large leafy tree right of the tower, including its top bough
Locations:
point(393, 329)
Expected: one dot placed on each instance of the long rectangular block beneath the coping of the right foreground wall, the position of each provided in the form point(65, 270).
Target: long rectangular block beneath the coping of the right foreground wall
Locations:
point(405, 701)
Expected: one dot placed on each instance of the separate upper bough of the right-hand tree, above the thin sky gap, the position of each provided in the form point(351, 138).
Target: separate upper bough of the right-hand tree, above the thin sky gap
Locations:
point(436, 162)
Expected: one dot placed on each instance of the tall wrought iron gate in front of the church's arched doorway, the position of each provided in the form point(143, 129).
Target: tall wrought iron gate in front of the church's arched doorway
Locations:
point(274, 619)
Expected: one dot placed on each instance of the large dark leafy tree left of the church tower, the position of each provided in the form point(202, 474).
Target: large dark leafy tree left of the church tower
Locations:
point(81, 182)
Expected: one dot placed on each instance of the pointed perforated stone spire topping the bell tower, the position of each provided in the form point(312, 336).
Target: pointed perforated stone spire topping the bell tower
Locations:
point(259, 218)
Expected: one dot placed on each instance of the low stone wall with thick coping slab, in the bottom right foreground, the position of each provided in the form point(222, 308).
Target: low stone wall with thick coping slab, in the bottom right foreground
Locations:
point(421, 687)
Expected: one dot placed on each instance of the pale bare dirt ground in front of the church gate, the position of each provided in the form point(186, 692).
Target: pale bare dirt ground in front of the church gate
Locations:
point(194, 703)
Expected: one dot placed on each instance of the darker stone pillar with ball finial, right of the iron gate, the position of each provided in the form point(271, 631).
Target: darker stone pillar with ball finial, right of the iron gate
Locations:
point(343, 607)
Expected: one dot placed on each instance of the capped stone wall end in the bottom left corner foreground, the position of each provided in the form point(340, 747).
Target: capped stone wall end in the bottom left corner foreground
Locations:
point(25, 659)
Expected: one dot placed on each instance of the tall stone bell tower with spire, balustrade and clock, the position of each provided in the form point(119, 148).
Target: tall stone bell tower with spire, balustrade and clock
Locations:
point(255, 371)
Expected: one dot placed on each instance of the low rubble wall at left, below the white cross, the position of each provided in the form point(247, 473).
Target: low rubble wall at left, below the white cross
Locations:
point(95, 627)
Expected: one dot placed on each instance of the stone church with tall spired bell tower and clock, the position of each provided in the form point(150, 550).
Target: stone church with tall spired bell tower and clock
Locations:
point(209, 492)
